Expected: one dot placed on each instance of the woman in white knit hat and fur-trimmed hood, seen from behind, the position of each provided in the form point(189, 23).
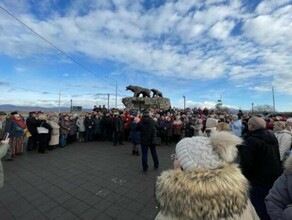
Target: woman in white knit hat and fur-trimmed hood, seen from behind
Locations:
point(205, 184)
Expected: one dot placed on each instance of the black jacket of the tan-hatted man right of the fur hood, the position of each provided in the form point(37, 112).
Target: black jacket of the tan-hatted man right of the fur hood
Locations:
point(260, 158)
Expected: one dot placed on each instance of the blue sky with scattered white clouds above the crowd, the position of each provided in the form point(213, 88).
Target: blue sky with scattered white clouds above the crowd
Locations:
point(200, 49)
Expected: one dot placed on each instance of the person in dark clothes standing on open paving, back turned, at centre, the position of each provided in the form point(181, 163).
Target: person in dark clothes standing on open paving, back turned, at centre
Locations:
point(147, 128)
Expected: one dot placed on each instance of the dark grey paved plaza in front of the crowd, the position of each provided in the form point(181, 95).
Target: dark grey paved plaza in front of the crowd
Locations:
point(82, 181)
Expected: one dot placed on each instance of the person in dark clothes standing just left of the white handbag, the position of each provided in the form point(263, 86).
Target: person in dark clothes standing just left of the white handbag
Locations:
point(32, 123)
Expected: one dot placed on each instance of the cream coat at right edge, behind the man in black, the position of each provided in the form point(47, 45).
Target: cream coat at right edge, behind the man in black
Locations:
point(284, 138)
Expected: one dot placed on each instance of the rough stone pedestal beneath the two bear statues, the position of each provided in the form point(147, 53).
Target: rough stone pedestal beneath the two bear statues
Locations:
point(143, 103)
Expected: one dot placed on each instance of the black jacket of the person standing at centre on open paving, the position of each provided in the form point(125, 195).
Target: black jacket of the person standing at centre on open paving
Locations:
point(146, 127)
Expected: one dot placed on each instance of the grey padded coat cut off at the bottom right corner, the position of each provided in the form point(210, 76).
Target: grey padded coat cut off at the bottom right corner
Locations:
point(279, 199)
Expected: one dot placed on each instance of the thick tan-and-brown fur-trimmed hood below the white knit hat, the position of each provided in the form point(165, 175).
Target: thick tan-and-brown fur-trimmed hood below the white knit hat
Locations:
point(202, 193)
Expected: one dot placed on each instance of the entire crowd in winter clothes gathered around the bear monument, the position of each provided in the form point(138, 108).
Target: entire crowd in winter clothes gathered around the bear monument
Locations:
point(226, 166)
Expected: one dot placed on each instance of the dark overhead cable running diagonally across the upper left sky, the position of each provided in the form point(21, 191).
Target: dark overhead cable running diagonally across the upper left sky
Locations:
point(54, 46)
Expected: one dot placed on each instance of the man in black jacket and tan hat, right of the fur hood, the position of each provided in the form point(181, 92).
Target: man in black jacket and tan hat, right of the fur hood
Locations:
point(260, 162)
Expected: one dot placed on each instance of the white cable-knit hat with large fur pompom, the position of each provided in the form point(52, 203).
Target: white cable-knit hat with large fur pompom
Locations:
point(209, 153)
